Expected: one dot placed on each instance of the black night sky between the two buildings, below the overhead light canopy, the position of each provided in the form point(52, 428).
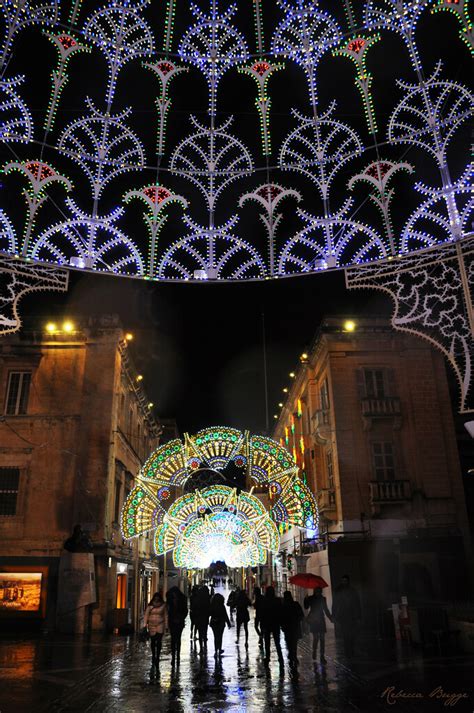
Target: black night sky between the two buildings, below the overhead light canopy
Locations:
point(200, 346)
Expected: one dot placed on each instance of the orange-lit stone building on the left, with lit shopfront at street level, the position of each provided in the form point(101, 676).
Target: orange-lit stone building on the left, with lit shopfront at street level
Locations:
point(75, 428)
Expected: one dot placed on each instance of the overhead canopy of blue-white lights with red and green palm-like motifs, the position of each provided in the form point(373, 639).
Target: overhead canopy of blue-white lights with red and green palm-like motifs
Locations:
point(204, 184)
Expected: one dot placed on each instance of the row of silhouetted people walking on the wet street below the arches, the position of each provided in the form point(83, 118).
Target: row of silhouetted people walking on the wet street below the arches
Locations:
point(272, 616)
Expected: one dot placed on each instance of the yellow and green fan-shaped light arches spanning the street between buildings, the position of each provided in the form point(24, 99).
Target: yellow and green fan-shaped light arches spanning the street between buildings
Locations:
point(218, 521)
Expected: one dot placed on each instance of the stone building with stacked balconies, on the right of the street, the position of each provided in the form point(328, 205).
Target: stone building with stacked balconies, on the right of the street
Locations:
point(368, 418)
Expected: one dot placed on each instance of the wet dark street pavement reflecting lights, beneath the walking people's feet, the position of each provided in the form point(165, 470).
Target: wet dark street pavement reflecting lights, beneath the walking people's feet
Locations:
point(100, 675)
